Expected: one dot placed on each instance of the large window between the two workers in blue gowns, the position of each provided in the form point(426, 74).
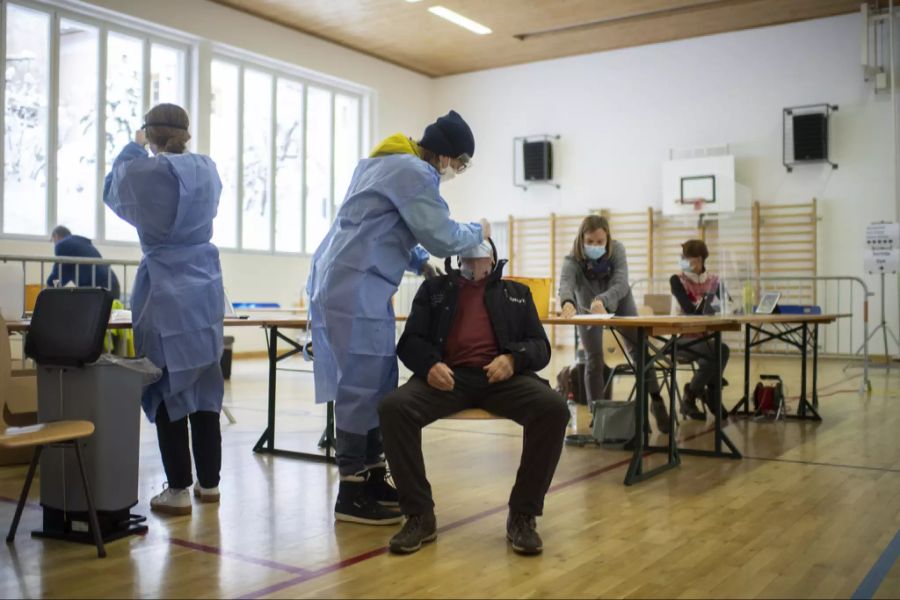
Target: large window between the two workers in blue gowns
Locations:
point(286, 149)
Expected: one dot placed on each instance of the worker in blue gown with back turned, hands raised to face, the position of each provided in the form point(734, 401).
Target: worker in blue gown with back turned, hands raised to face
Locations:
point(178, 300)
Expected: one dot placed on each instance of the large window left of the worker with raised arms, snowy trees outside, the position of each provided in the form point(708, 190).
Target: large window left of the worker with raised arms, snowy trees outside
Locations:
point(84, 85)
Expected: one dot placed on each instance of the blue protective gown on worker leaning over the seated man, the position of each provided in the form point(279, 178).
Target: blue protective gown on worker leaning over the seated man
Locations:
point(393, 203)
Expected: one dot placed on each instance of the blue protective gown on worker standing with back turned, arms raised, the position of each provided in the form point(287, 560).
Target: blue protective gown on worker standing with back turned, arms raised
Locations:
point(178, 302)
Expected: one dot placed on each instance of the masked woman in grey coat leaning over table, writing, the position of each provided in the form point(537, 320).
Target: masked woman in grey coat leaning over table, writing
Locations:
point(594, 279)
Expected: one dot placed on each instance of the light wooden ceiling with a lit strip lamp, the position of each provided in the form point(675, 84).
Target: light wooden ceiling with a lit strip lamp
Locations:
point(406, 34)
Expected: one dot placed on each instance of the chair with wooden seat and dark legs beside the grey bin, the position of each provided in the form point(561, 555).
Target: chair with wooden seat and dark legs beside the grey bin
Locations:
point(60, 434)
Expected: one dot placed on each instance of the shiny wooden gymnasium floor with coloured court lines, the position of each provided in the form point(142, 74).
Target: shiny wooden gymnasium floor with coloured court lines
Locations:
point(809, 512)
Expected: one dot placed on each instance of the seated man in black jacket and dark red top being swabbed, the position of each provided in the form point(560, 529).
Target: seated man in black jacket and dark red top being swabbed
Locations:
point(473, 340)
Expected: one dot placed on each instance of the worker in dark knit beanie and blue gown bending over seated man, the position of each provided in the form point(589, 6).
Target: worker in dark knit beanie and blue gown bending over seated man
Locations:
point(392, 210)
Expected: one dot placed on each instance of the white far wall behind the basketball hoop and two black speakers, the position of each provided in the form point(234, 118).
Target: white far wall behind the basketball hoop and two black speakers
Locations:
point(620, 112)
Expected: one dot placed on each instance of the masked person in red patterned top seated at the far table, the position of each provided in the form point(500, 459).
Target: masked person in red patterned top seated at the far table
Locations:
point(697, 293)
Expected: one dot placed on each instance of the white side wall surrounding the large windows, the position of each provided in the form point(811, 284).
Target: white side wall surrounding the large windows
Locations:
point(401, 102)
